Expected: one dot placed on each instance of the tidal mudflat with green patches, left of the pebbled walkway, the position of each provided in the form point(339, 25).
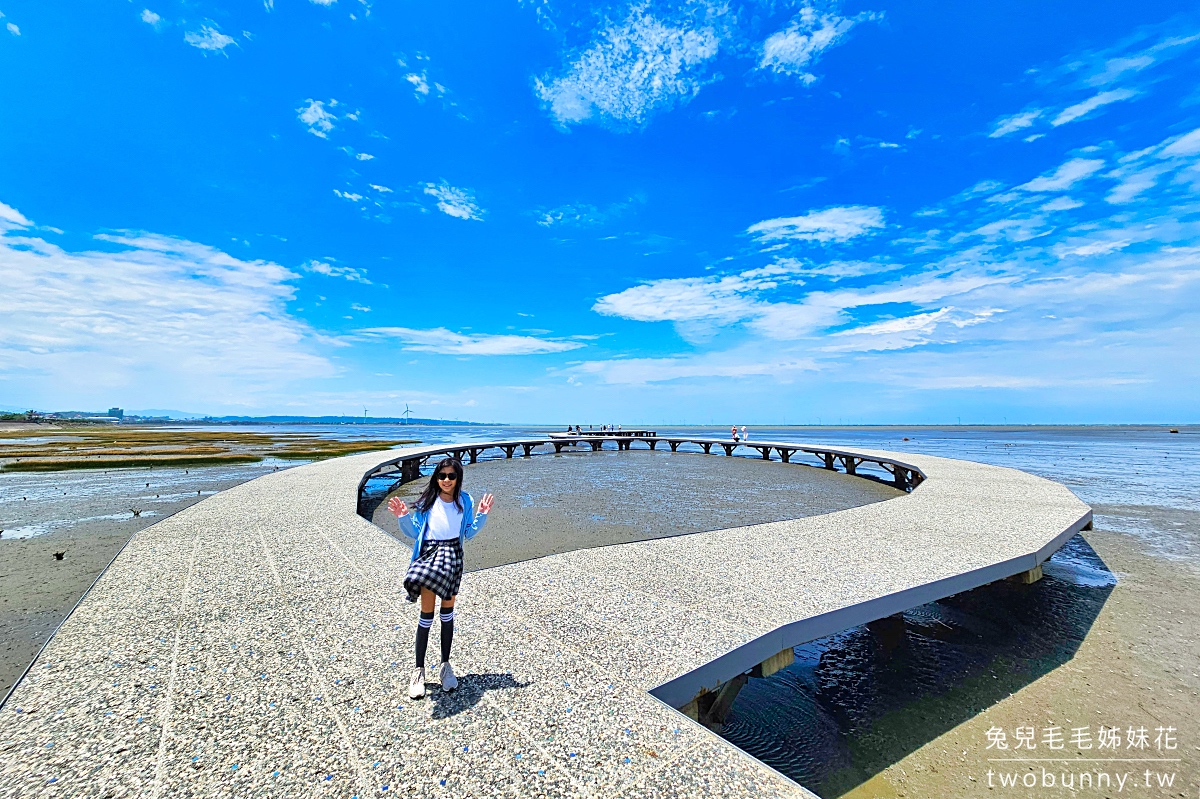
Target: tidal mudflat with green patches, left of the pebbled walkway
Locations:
point(82, 491)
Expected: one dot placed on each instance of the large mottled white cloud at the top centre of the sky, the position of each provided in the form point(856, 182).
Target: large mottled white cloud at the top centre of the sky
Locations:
point(633, 69)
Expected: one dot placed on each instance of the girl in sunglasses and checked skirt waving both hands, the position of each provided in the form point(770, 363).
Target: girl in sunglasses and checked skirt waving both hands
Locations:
point(441, 520)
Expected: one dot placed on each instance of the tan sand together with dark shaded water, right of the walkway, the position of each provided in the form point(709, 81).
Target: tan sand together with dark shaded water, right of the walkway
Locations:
point(1108, 638)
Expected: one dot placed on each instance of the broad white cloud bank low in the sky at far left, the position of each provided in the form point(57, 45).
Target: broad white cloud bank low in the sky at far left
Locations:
point(187, 317)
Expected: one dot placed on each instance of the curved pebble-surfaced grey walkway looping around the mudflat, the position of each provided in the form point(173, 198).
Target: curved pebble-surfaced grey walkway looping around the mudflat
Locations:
point(259, 645)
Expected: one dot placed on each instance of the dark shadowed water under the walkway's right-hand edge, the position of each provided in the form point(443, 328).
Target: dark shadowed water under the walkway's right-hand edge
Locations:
point(860, 701)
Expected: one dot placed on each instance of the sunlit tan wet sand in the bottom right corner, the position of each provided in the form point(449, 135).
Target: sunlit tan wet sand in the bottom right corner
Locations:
point(1138, 665)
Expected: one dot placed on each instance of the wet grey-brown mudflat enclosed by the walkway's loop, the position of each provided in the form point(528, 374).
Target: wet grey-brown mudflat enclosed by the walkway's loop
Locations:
point(561, 503)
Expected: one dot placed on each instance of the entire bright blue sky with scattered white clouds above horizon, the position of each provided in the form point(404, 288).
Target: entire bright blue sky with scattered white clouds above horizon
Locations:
point(647, 213)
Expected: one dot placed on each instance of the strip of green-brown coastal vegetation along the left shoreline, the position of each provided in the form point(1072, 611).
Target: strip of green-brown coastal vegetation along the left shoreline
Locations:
point(44, 448)
